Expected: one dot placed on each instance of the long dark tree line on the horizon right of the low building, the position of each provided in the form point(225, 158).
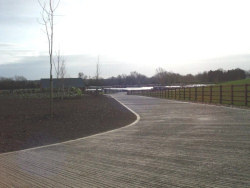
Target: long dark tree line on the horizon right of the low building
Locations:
point(163, 77)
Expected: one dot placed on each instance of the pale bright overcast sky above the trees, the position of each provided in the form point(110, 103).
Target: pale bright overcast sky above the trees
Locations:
point(181, 36)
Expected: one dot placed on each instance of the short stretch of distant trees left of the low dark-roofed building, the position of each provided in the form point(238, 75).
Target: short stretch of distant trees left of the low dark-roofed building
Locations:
point(17, 82)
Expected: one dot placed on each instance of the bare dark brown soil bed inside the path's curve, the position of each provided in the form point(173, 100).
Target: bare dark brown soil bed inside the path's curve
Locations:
point(25, 123)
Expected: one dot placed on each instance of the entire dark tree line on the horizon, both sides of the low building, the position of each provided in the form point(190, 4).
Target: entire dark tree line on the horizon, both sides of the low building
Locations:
point(161, 77)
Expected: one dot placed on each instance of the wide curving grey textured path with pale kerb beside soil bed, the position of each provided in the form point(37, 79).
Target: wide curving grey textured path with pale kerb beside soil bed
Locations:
point(175, 144)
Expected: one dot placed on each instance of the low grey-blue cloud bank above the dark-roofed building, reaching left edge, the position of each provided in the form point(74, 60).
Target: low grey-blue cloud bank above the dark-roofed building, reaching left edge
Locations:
point(36, 67)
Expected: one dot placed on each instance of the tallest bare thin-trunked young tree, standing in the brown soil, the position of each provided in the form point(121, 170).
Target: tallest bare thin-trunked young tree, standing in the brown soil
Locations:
point(48, 12)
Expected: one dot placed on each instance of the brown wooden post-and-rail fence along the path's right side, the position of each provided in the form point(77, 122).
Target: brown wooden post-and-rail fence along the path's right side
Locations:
point(238, 95)
